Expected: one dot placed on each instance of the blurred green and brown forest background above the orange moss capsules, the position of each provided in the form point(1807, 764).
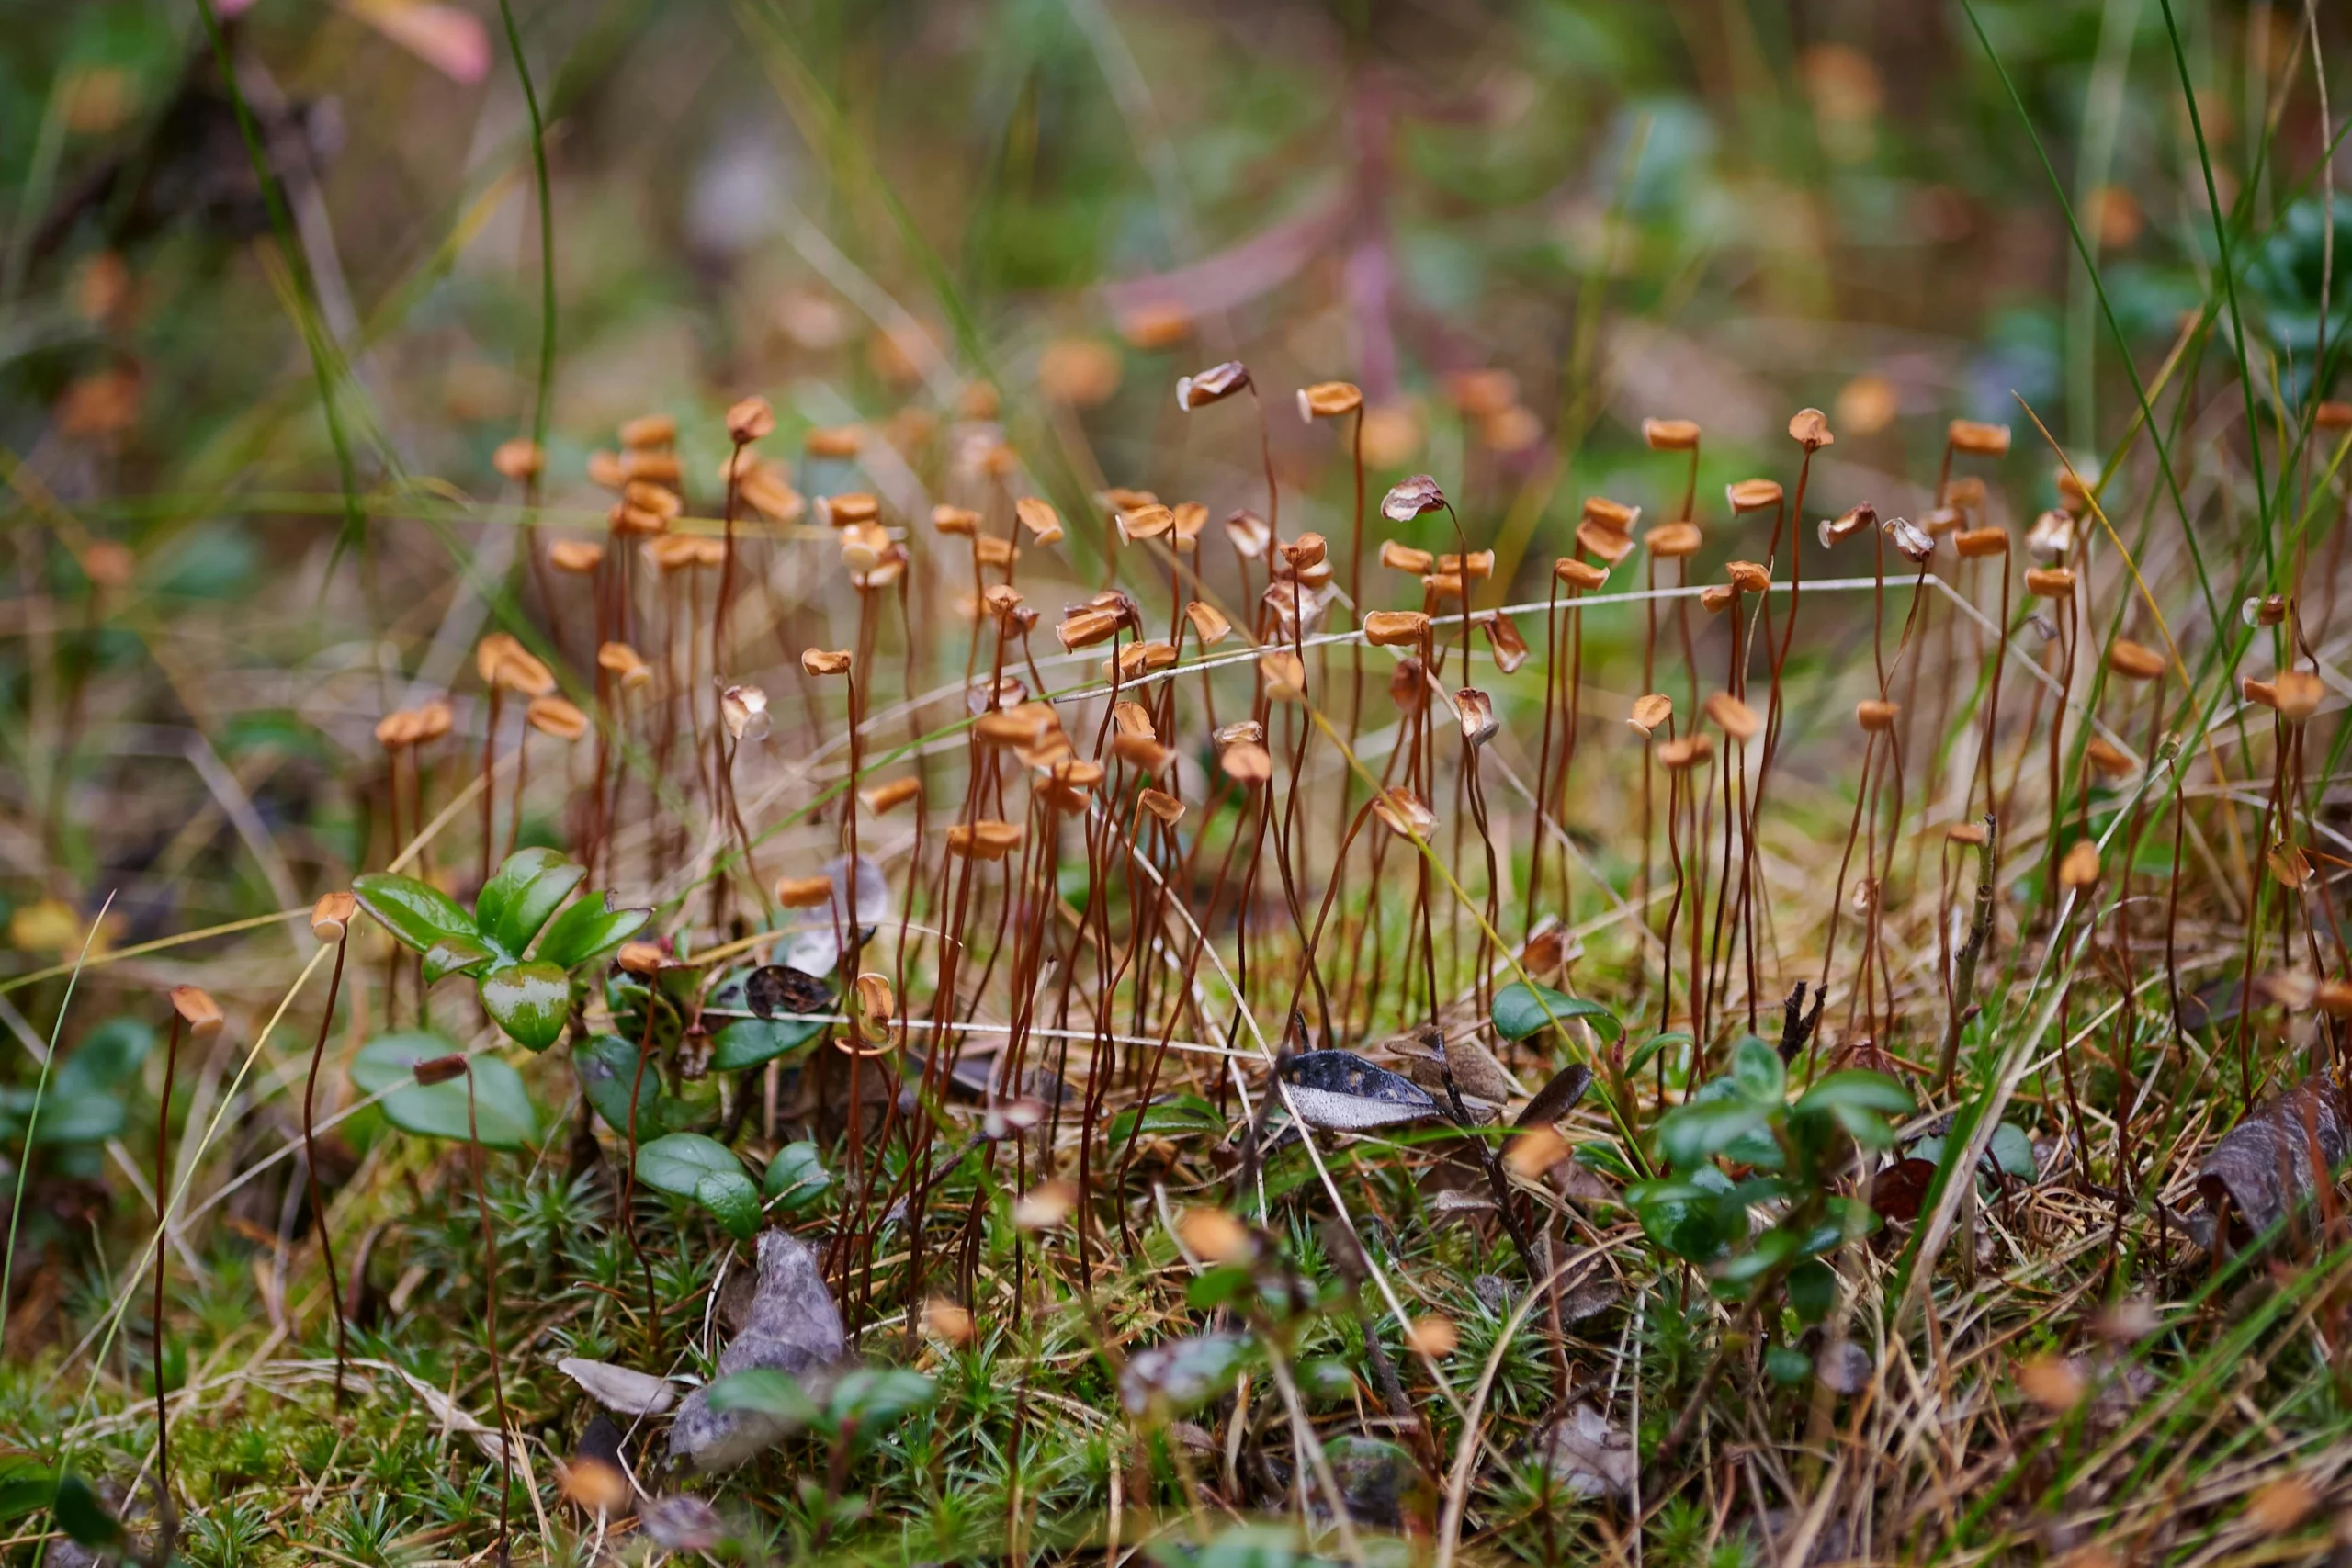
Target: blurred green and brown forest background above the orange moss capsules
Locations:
point(1699, 208)
